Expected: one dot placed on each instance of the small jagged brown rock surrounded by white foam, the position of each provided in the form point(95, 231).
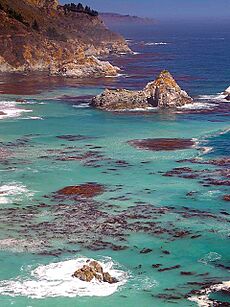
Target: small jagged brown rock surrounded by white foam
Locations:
point(94, 270)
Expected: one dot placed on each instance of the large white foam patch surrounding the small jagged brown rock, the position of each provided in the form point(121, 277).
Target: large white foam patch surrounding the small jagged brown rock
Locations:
point(55, 280)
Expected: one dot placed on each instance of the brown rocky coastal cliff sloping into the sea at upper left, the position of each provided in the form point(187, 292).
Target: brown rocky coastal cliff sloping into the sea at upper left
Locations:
point(43, 35)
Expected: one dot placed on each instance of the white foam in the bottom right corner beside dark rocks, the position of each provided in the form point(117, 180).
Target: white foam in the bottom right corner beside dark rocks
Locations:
point(203, 300)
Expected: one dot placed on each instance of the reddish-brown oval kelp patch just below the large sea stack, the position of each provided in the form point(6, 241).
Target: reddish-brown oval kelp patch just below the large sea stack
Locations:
point(161, 144)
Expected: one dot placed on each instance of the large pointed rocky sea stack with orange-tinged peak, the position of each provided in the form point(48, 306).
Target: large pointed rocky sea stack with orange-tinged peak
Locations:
point(164, 92)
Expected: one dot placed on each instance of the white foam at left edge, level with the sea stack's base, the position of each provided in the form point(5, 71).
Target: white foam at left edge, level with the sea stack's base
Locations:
point(11, 109)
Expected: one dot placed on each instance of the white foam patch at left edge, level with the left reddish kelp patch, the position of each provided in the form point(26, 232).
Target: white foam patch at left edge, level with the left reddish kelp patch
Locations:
point(13, 192)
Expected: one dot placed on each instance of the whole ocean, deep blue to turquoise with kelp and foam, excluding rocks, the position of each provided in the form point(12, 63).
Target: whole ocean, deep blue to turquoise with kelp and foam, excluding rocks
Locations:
point(160, 223)
